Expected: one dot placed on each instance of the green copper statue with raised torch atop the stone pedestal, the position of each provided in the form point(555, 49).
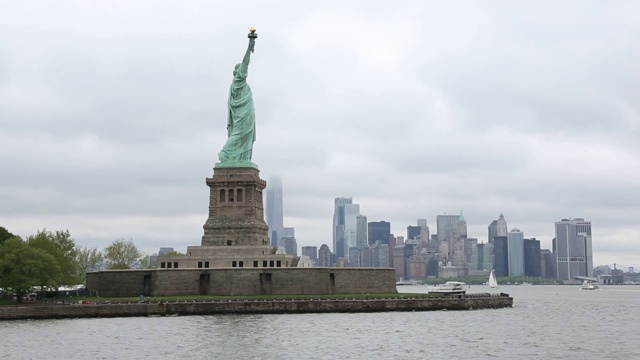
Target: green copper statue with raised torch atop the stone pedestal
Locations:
point(241, 117)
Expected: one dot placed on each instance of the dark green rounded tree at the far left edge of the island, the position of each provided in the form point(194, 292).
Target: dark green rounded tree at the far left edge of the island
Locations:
point(23, 267)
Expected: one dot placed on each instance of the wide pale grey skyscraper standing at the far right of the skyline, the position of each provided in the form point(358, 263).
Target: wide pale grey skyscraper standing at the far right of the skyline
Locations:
point(573, 248)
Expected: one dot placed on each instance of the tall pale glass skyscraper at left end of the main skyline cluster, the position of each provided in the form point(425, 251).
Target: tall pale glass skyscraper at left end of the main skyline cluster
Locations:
point(345, 224)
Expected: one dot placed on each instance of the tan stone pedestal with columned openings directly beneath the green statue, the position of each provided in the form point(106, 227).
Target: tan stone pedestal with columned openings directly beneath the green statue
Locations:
point(236, 212)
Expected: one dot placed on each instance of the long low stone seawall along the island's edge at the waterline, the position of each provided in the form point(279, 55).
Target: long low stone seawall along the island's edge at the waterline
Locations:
point(468, 302)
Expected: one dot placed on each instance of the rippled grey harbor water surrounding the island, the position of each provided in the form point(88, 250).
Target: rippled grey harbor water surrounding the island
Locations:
point(550, 322)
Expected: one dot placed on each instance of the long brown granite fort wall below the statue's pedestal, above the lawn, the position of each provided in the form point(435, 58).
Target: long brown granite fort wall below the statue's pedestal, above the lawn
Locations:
point(241, 281)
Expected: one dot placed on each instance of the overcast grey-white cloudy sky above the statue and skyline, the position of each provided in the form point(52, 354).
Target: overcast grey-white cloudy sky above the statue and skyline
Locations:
point(112, 114)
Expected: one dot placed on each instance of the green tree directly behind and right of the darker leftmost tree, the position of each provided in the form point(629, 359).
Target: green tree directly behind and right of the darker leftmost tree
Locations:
point(64, 250)
